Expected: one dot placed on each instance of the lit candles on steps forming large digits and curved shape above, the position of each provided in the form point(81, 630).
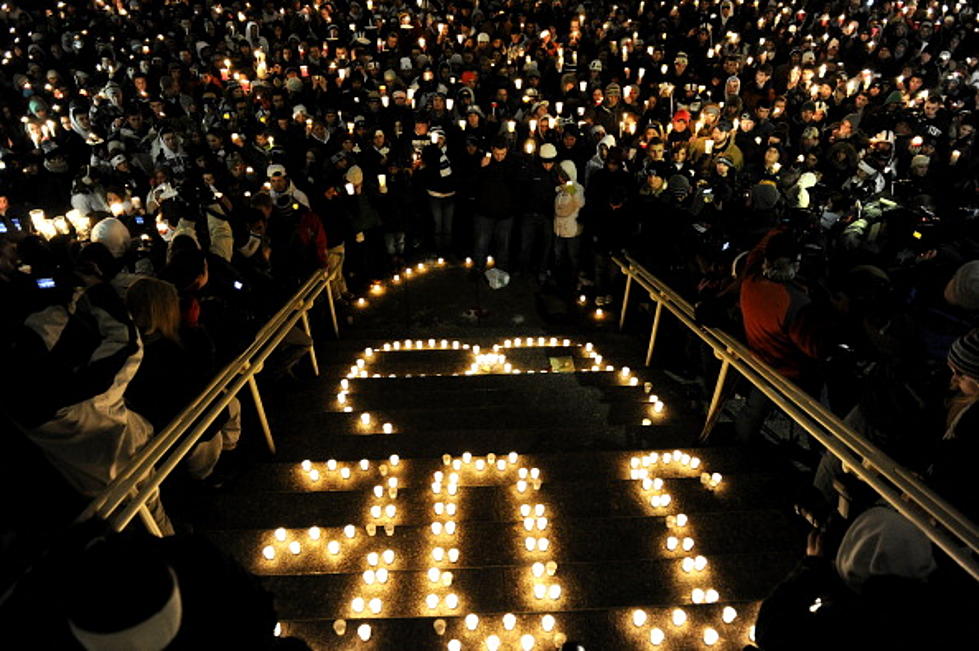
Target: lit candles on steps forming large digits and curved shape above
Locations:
point(651, 471)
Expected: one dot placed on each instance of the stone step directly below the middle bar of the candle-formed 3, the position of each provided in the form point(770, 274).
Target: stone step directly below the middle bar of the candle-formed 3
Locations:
point(584, 587)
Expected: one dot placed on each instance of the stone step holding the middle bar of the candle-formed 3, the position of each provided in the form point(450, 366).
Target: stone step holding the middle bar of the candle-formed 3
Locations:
point(484, 544)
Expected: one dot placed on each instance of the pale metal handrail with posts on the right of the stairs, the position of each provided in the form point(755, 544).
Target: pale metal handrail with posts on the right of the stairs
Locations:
point(942, 523)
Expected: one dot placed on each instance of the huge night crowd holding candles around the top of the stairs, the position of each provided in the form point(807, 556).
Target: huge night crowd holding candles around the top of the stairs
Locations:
point(806, 172)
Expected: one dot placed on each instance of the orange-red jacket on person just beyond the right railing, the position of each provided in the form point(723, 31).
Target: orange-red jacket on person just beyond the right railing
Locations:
point(779, 320)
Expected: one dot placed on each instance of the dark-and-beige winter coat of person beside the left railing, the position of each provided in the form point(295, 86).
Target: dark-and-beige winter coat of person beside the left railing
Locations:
point(69, 368)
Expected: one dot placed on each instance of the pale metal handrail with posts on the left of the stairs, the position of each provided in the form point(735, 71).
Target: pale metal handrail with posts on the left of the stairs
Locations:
point(127, 494)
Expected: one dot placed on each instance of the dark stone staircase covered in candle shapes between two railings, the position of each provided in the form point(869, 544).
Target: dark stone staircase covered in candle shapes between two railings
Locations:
point(509, 507)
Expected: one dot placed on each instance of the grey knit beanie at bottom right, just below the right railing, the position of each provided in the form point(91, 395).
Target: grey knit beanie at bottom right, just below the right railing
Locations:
point(882, 542)
